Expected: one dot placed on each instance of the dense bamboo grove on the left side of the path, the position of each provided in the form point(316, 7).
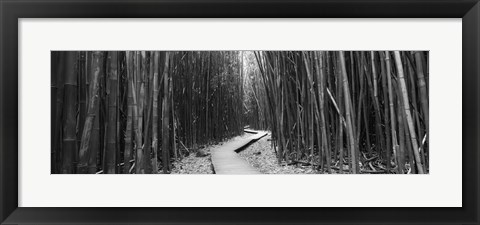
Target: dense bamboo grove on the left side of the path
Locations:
point(137, 111)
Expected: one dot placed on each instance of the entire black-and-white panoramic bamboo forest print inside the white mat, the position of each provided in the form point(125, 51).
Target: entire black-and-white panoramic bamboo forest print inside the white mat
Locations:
point(239, 112)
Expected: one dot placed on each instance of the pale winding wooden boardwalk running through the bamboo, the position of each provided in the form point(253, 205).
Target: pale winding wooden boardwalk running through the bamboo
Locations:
point(225, 159)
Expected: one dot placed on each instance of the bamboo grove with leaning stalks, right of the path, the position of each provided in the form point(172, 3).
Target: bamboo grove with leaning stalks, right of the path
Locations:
point(352, 112)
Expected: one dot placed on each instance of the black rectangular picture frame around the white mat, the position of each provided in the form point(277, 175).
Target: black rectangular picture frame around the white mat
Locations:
point(12, 10)
